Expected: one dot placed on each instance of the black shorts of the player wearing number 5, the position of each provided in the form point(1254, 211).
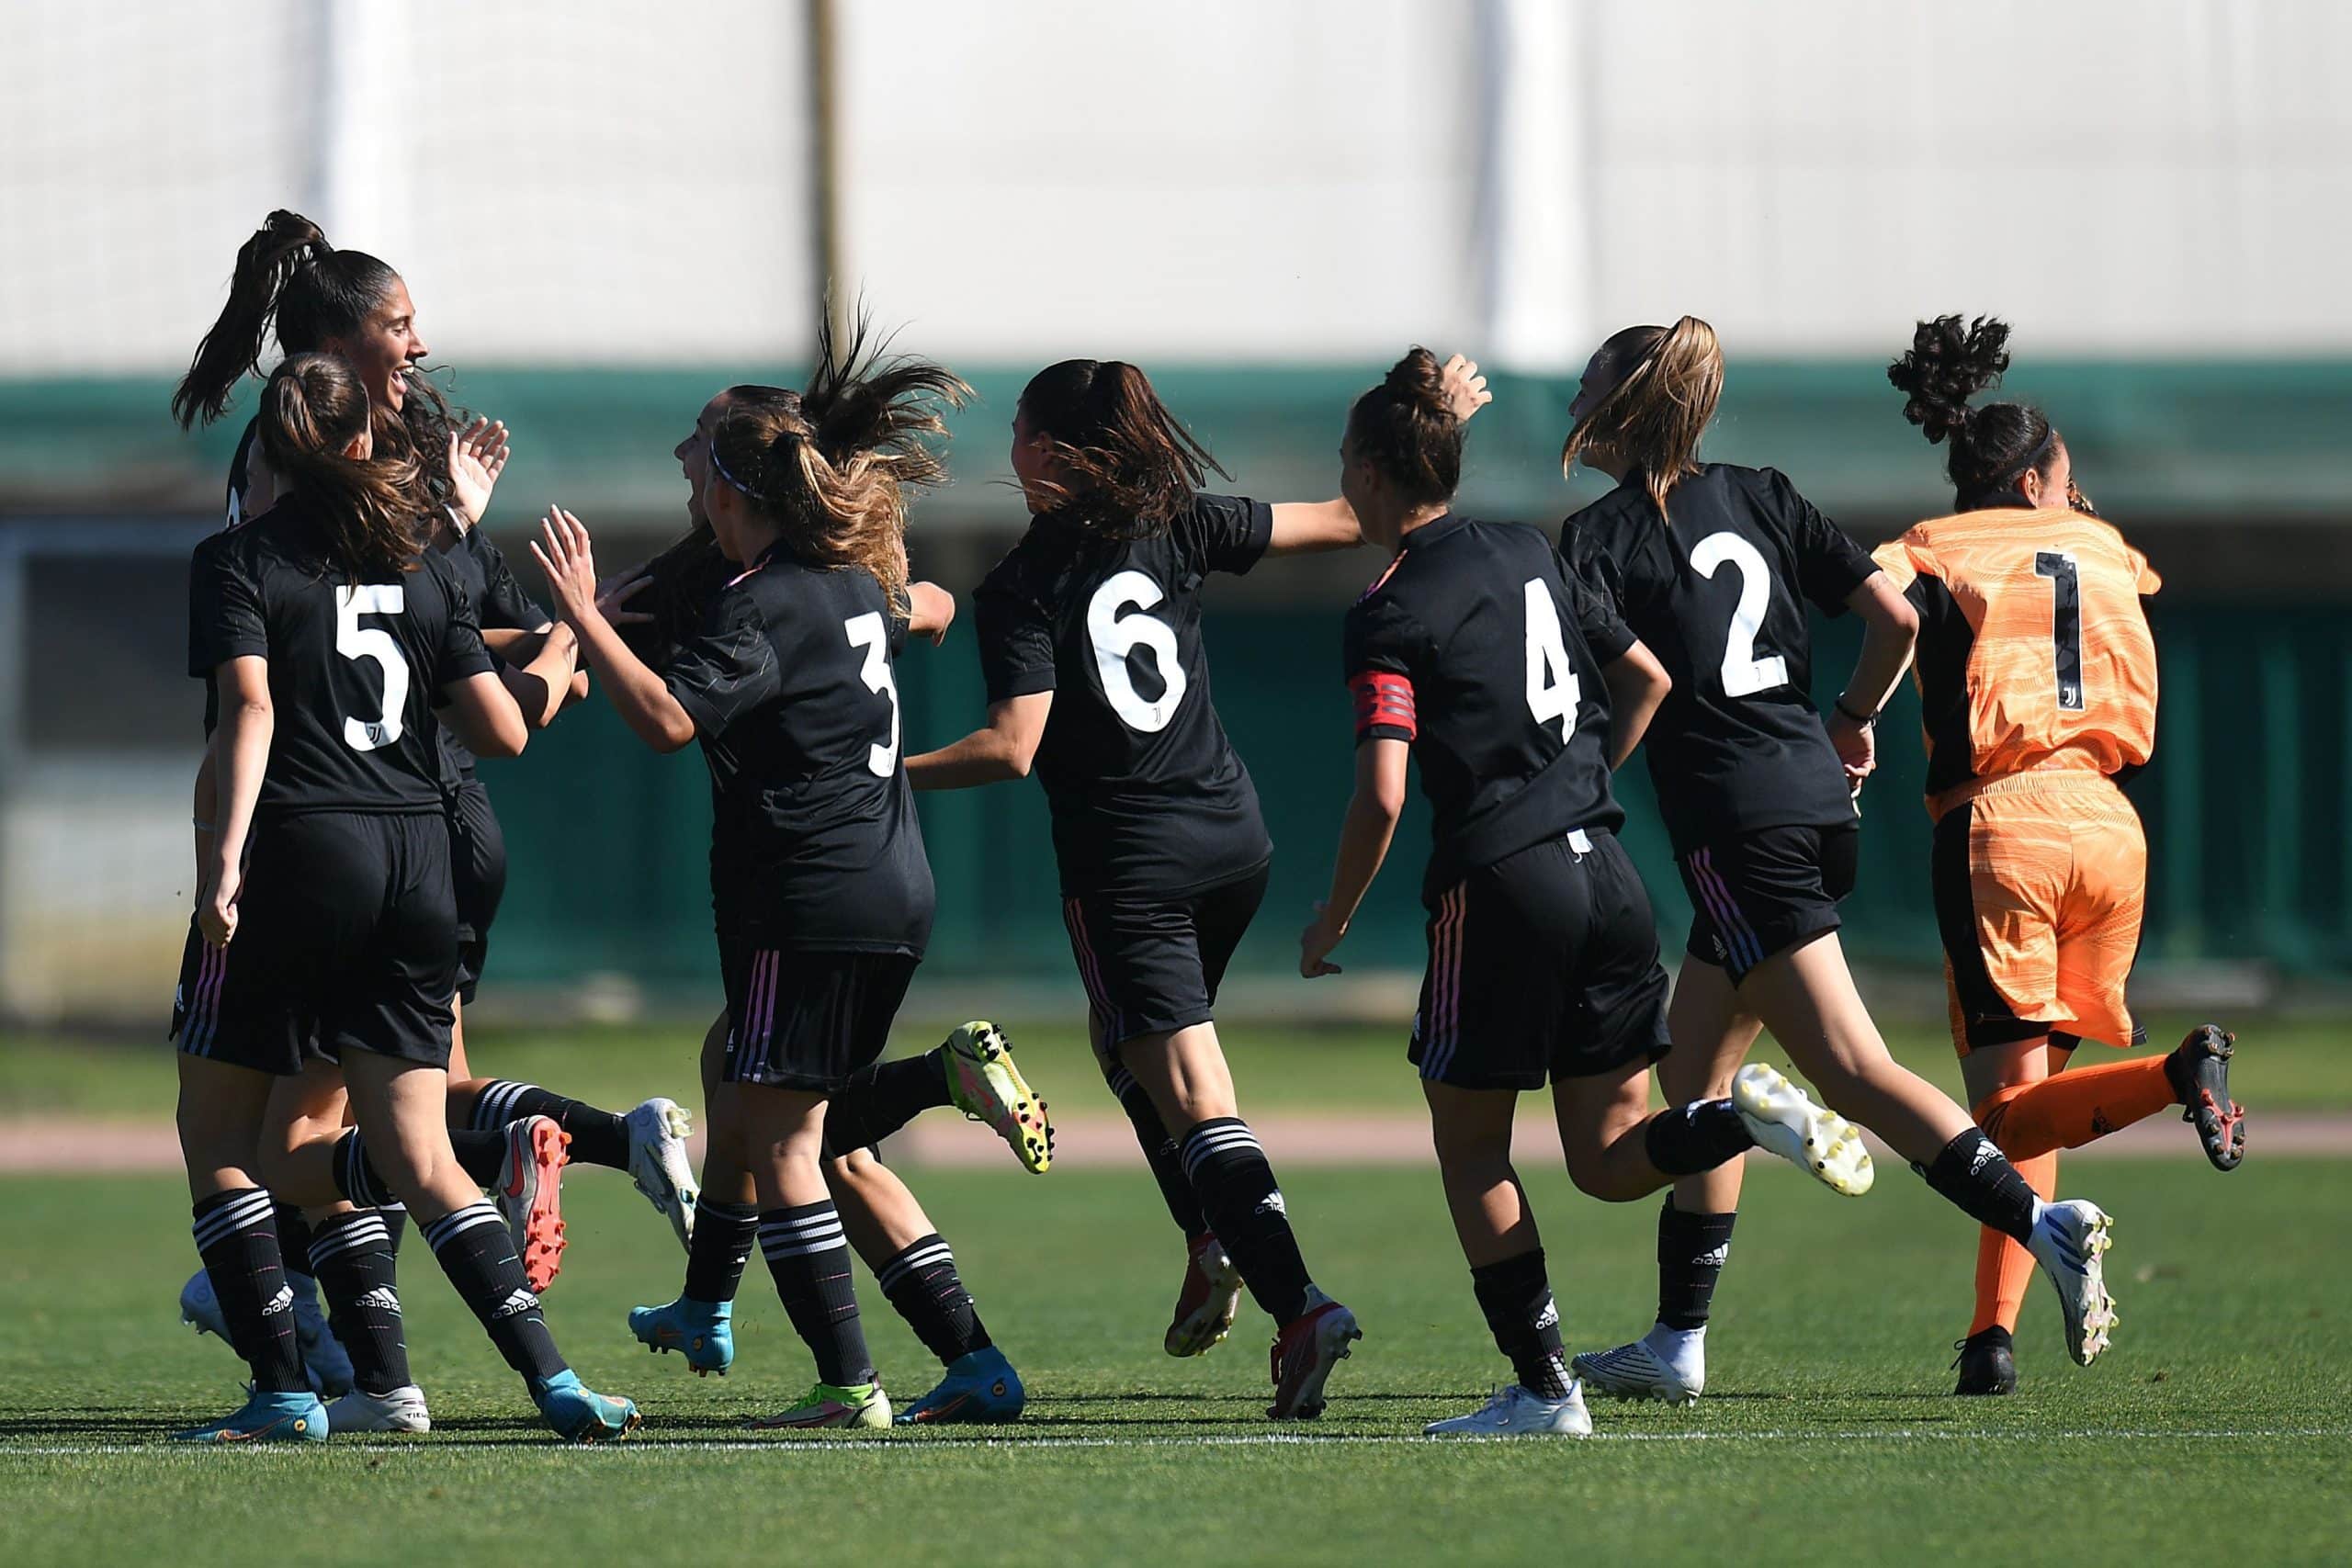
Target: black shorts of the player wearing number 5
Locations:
point(347, 942)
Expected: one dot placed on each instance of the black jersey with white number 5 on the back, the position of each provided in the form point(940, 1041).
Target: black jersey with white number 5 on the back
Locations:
point(354, 666)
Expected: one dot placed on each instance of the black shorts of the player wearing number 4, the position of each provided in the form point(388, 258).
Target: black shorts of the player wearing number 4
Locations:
point(1542, 967)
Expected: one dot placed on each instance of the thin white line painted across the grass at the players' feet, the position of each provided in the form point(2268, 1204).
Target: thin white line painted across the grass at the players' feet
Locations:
point(1259, 1440)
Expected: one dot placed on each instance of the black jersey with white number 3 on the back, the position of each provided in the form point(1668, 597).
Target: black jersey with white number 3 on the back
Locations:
point(794, 697)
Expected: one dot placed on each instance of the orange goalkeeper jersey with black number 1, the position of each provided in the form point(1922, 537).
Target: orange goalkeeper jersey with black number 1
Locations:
point(2033, 643)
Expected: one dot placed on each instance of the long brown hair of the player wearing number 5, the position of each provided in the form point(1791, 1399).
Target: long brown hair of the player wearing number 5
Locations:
point(312, 410)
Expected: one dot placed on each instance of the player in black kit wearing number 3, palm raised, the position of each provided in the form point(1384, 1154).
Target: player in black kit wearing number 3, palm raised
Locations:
point(820, 880)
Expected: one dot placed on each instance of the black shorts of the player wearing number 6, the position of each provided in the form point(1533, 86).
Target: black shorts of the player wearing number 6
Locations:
point(1154, 965)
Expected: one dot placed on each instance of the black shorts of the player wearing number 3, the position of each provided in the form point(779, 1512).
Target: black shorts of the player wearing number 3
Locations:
point(801, 1019)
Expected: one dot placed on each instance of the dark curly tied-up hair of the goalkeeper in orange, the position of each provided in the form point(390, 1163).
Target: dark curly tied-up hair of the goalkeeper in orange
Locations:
point(1993, 448)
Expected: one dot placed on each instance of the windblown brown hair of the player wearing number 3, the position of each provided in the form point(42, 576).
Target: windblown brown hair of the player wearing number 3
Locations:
point(834, 462)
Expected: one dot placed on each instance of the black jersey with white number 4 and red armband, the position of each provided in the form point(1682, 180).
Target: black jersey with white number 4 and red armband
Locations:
point(1485, 652)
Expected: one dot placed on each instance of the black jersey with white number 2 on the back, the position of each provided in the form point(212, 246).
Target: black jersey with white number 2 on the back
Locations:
point(1720, 601)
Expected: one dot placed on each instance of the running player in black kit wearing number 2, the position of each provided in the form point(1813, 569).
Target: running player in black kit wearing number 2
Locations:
point(1711, 568)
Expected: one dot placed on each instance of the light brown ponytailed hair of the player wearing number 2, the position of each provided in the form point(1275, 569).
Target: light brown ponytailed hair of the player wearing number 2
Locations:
point(1655, 415)
